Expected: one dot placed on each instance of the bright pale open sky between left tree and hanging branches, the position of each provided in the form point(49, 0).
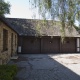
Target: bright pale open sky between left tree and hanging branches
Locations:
point(21, 9)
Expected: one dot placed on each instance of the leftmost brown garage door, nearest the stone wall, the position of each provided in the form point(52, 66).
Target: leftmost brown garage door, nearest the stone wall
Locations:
point(31, 45)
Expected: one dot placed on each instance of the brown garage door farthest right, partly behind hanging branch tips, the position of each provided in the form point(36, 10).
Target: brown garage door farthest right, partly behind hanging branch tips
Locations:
point(69, 45)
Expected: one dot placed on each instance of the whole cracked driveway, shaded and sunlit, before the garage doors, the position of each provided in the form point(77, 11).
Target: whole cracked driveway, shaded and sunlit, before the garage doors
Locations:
point(48, 66)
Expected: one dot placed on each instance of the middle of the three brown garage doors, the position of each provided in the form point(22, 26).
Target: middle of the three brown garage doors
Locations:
point(50, 45)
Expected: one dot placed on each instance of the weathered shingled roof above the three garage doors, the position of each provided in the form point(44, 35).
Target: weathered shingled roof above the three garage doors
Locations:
point(34, 27)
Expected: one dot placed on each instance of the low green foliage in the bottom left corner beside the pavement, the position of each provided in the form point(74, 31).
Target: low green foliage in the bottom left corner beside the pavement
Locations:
point(7, 72)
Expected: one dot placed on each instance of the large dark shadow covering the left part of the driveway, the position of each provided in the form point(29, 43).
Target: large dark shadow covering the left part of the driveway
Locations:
point(42, 67)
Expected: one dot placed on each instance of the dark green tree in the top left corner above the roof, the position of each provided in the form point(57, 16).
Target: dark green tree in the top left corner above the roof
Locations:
point(4, 8)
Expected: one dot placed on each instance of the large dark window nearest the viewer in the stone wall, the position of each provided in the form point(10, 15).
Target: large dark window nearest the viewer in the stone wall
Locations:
point(5, 40)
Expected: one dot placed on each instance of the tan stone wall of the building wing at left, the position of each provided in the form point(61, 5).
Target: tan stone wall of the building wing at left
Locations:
point(5, 55)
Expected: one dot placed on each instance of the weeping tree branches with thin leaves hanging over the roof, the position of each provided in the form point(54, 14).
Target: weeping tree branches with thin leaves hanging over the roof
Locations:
point(66, 11)
